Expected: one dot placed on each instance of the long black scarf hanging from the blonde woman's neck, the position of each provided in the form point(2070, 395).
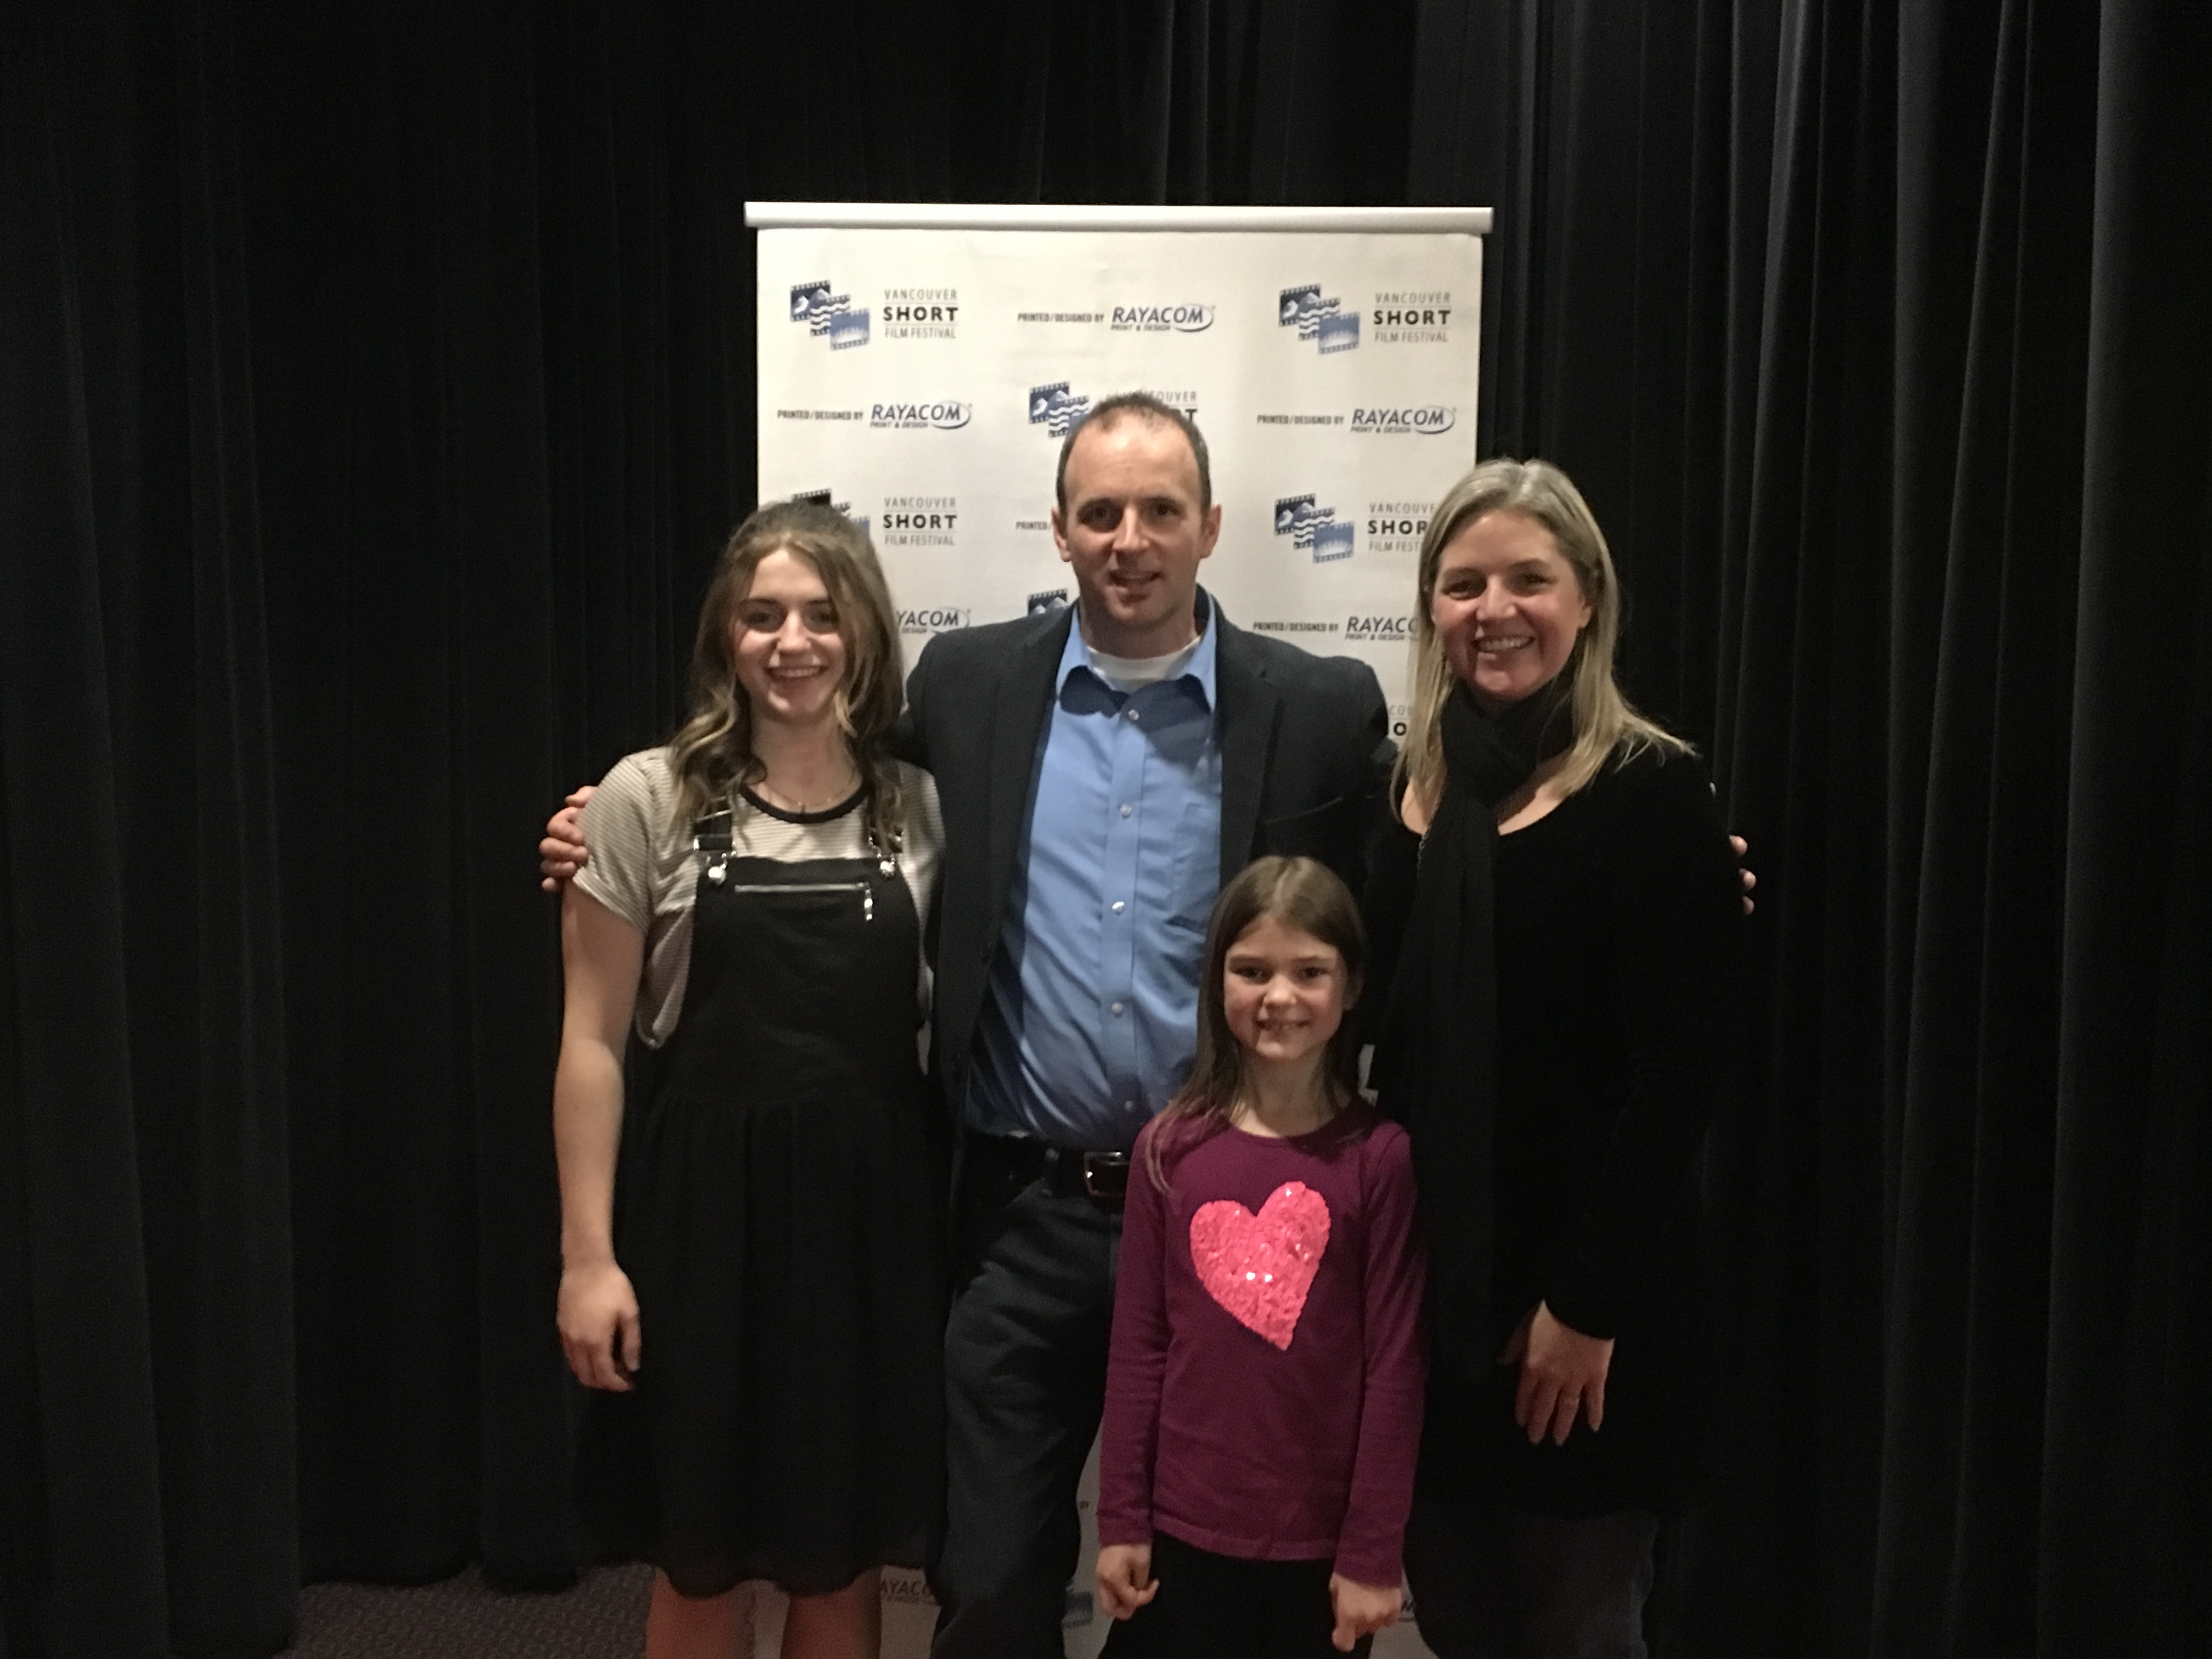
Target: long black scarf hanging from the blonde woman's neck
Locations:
point(1441, 1030)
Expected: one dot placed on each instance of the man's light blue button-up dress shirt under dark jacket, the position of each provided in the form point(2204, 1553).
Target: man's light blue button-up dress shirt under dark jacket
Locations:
point(1092, 1019)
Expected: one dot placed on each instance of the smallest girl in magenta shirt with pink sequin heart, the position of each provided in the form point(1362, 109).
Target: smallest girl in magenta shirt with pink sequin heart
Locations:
point(1266, 1375)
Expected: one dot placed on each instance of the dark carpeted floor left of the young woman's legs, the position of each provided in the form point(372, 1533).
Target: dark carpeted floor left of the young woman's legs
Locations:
point(603, 1618)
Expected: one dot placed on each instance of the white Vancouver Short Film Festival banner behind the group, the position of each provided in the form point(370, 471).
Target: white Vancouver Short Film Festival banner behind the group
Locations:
point(921, 366)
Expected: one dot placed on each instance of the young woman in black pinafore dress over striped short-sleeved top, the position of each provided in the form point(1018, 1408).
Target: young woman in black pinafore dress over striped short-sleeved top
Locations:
point(766, 1317)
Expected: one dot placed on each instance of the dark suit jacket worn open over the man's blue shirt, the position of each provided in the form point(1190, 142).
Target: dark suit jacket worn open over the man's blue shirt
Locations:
point(1304, 751)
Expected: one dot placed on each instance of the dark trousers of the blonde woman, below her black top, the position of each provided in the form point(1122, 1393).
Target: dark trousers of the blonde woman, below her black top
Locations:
point(1492, 1583)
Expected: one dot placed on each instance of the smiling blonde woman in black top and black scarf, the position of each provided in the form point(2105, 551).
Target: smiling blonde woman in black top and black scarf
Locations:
point(1558, 912)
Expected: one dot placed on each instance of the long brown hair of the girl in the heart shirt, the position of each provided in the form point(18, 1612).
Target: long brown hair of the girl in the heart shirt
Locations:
point(1297, 893)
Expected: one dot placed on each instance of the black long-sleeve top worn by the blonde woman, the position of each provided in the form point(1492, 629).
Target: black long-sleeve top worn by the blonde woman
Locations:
point(1616, 932)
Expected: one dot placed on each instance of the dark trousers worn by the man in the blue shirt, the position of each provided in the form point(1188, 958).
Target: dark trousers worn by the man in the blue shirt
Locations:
point(1025, 1384)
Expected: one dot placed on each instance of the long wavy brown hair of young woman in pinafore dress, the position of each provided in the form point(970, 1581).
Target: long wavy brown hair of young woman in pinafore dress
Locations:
point(711, 751)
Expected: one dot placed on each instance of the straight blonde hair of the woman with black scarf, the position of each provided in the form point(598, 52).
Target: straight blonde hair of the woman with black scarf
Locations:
point(1605, 722)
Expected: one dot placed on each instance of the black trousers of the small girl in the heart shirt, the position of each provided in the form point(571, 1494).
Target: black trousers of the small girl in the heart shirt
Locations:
point(1215, 1607)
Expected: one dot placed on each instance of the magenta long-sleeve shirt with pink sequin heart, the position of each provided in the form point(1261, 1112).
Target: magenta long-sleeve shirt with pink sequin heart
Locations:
point(1266, 1377)
